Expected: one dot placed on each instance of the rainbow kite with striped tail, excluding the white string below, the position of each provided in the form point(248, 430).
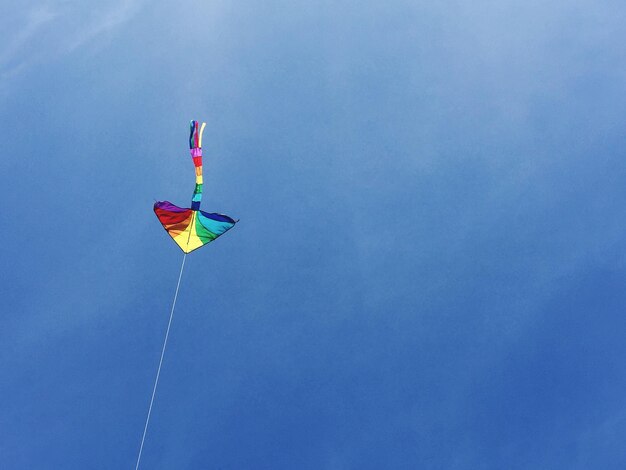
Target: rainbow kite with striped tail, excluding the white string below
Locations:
point(192, 228)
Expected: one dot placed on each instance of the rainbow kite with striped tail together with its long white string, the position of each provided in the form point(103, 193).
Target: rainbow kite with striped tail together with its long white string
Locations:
point(191, 229)
